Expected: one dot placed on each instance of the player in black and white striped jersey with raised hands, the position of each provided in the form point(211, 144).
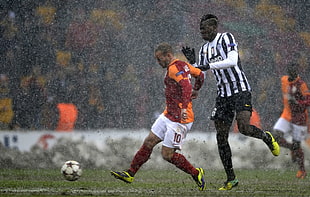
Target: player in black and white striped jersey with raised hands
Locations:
point(220, 55)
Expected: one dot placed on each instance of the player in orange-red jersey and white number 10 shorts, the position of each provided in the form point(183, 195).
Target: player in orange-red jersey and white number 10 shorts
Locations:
point(172, 126)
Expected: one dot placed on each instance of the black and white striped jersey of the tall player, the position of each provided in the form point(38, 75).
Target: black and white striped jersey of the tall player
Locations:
point(230, 78)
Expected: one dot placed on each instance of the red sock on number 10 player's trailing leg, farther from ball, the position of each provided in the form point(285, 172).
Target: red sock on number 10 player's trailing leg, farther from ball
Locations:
point(181, 162)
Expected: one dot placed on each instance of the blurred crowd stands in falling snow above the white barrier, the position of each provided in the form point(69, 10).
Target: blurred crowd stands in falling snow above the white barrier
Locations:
point(98, 55)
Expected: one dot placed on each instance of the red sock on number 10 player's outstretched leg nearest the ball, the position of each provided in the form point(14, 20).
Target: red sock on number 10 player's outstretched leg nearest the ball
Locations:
point(139, 159)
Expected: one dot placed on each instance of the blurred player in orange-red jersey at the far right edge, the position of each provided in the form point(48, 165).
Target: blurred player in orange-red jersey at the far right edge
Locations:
point(294, 117)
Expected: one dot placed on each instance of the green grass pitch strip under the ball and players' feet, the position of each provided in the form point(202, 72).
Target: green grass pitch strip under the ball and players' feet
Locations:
point(150, 183)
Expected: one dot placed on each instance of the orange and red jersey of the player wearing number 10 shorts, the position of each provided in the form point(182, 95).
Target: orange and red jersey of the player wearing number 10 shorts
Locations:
point(178, 89)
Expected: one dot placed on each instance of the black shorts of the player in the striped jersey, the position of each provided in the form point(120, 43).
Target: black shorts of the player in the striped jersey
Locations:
point(225, 107)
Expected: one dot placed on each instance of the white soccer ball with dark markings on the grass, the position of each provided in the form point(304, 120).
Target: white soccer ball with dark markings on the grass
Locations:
point(71, 170)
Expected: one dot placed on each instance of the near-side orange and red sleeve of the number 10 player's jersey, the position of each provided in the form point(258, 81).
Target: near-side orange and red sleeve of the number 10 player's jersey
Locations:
point(182, 78)
